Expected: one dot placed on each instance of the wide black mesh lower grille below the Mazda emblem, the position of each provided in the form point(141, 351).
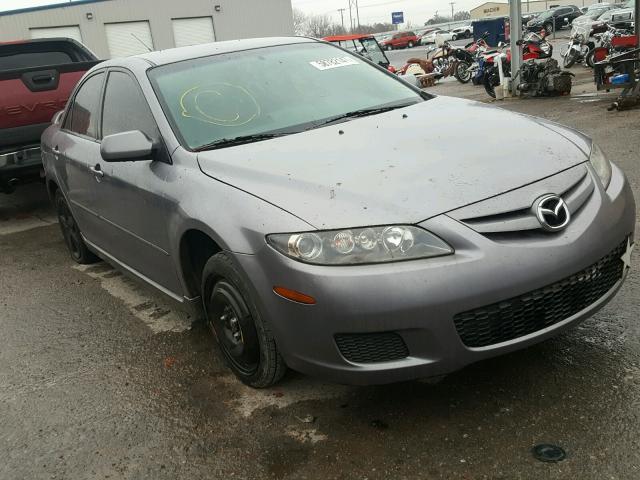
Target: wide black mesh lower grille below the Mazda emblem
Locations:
point(540, 308)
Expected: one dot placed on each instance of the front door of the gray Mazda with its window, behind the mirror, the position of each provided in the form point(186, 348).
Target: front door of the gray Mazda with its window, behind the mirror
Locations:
point(129, 197)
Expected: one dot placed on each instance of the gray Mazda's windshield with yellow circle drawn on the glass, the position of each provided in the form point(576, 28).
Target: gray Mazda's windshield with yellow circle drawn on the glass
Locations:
point(275, 90)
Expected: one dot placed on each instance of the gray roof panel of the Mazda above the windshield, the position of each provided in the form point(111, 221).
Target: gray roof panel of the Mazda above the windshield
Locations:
point(172, 55)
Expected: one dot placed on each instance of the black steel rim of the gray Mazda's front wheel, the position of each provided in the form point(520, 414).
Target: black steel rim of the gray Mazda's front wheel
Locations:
point(233, 325)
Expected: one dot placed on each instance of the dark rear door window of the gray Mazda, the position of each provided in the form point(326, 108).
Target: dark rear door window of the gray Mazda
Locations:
point(83, 117)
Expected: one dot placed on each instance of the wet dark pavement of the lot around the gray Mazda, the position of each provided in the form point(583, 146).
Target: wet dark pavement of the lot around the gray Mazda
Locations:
point(101, 377)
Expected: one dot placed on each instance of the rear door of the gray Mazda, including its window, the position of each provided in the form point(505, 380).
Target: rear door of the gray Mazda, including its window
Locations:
point(75, 148)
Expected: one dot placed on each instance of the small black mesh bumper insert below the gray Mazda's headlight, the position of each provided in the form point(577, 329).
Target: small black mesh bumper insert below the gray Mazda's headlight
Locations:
point(371, 347)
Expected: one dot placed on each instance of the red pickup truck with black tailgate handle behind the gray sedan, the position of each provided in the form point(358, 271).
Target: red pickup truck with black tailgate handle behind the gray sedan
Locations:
point(36, 79)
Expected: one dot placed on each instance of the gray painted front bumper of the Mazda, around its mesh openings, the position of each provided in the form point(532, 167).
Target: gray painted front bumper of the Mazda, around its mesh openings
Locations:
point(418, 300)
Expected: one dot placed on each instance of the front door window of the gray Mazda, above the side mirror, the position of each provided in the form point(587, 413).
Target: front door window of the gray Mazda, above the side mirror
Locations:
point(125, 108)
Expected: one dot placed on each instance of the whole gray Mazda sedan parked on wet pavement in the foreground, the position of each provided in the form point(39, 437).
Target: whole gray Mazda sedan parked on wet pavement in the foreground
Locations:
point(331, 218)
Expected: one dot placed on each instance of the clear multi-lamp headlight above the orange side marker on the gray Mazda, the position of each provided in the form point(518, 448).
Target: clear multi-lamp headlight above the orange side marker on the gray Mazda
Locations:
point(360, 245)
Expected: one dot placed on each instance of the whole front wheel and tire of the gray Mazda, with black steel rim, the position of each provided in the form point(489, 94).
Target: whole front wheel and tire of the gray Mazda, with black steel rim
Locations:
point(244, 339)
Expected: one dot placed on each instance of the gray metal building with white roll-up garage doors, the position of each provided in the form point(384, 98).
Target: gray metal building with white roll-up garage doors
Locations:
point(115, 28)
